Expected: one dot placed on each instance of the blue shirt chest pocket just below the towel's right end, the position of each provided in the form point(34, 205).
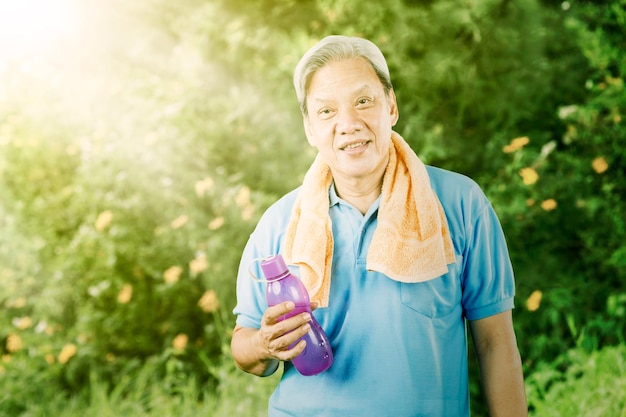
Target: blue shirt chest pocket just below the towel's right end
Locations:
point(435, 298)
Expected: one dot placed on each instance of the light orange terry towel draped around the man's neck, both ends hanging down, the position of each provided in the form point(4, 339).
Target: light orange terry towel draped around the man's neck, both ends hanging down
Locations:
point(410, 244)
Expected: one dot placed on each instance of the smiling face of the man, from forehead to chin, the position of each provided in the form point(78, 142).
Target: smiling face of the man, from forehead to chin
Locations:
point(350, 118)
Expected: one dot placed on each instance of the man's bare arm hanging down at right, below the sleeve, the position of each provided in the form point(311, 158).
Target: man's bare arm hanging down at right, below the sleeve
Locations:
point(500, 365)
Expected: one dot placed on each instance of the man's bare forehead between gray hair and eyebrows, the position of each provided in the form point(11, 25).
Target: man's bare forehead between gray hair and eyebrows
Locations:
point(345, 76)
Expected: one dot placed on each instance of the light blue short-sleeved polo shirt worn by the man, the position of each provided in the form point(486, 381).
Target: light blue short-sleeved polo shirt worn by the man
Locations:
point(400, 349)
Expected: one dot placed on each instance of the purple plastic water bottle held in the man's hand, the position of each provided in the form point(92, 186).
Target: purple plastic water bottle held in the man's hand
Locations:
point(283, 286)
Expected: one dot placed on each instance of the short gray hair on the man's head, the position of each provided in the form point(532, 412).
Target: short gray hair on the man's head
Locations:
point(337, 48)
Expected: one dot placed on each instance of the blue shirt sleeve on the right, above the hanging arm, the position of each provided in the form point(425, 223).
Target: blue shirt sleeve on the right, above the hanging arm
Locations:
point(488, 280)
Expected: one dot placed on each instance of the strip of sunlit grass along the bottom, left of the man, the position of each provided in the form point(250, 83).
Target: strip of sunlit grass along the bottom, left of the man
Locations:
point(142, 395)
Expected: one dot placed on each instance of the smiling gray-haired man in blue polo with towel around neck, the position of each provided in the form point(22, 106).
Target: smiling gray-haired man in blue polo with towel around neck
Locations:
point(397, 256)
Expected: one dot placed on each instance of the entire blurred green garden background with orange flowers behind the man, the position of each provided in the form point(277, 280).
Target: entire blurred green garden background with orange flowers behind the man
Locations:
point(141, 141)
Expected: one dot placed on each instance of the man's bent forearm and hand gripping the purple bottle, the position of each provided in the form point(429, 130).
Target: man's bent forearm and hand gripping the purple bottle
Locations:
point(258, 351)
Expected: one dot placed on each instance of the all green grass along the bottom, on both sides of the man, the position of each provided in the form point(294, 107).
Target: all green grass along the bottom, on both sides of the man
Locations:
point(578, 384)
